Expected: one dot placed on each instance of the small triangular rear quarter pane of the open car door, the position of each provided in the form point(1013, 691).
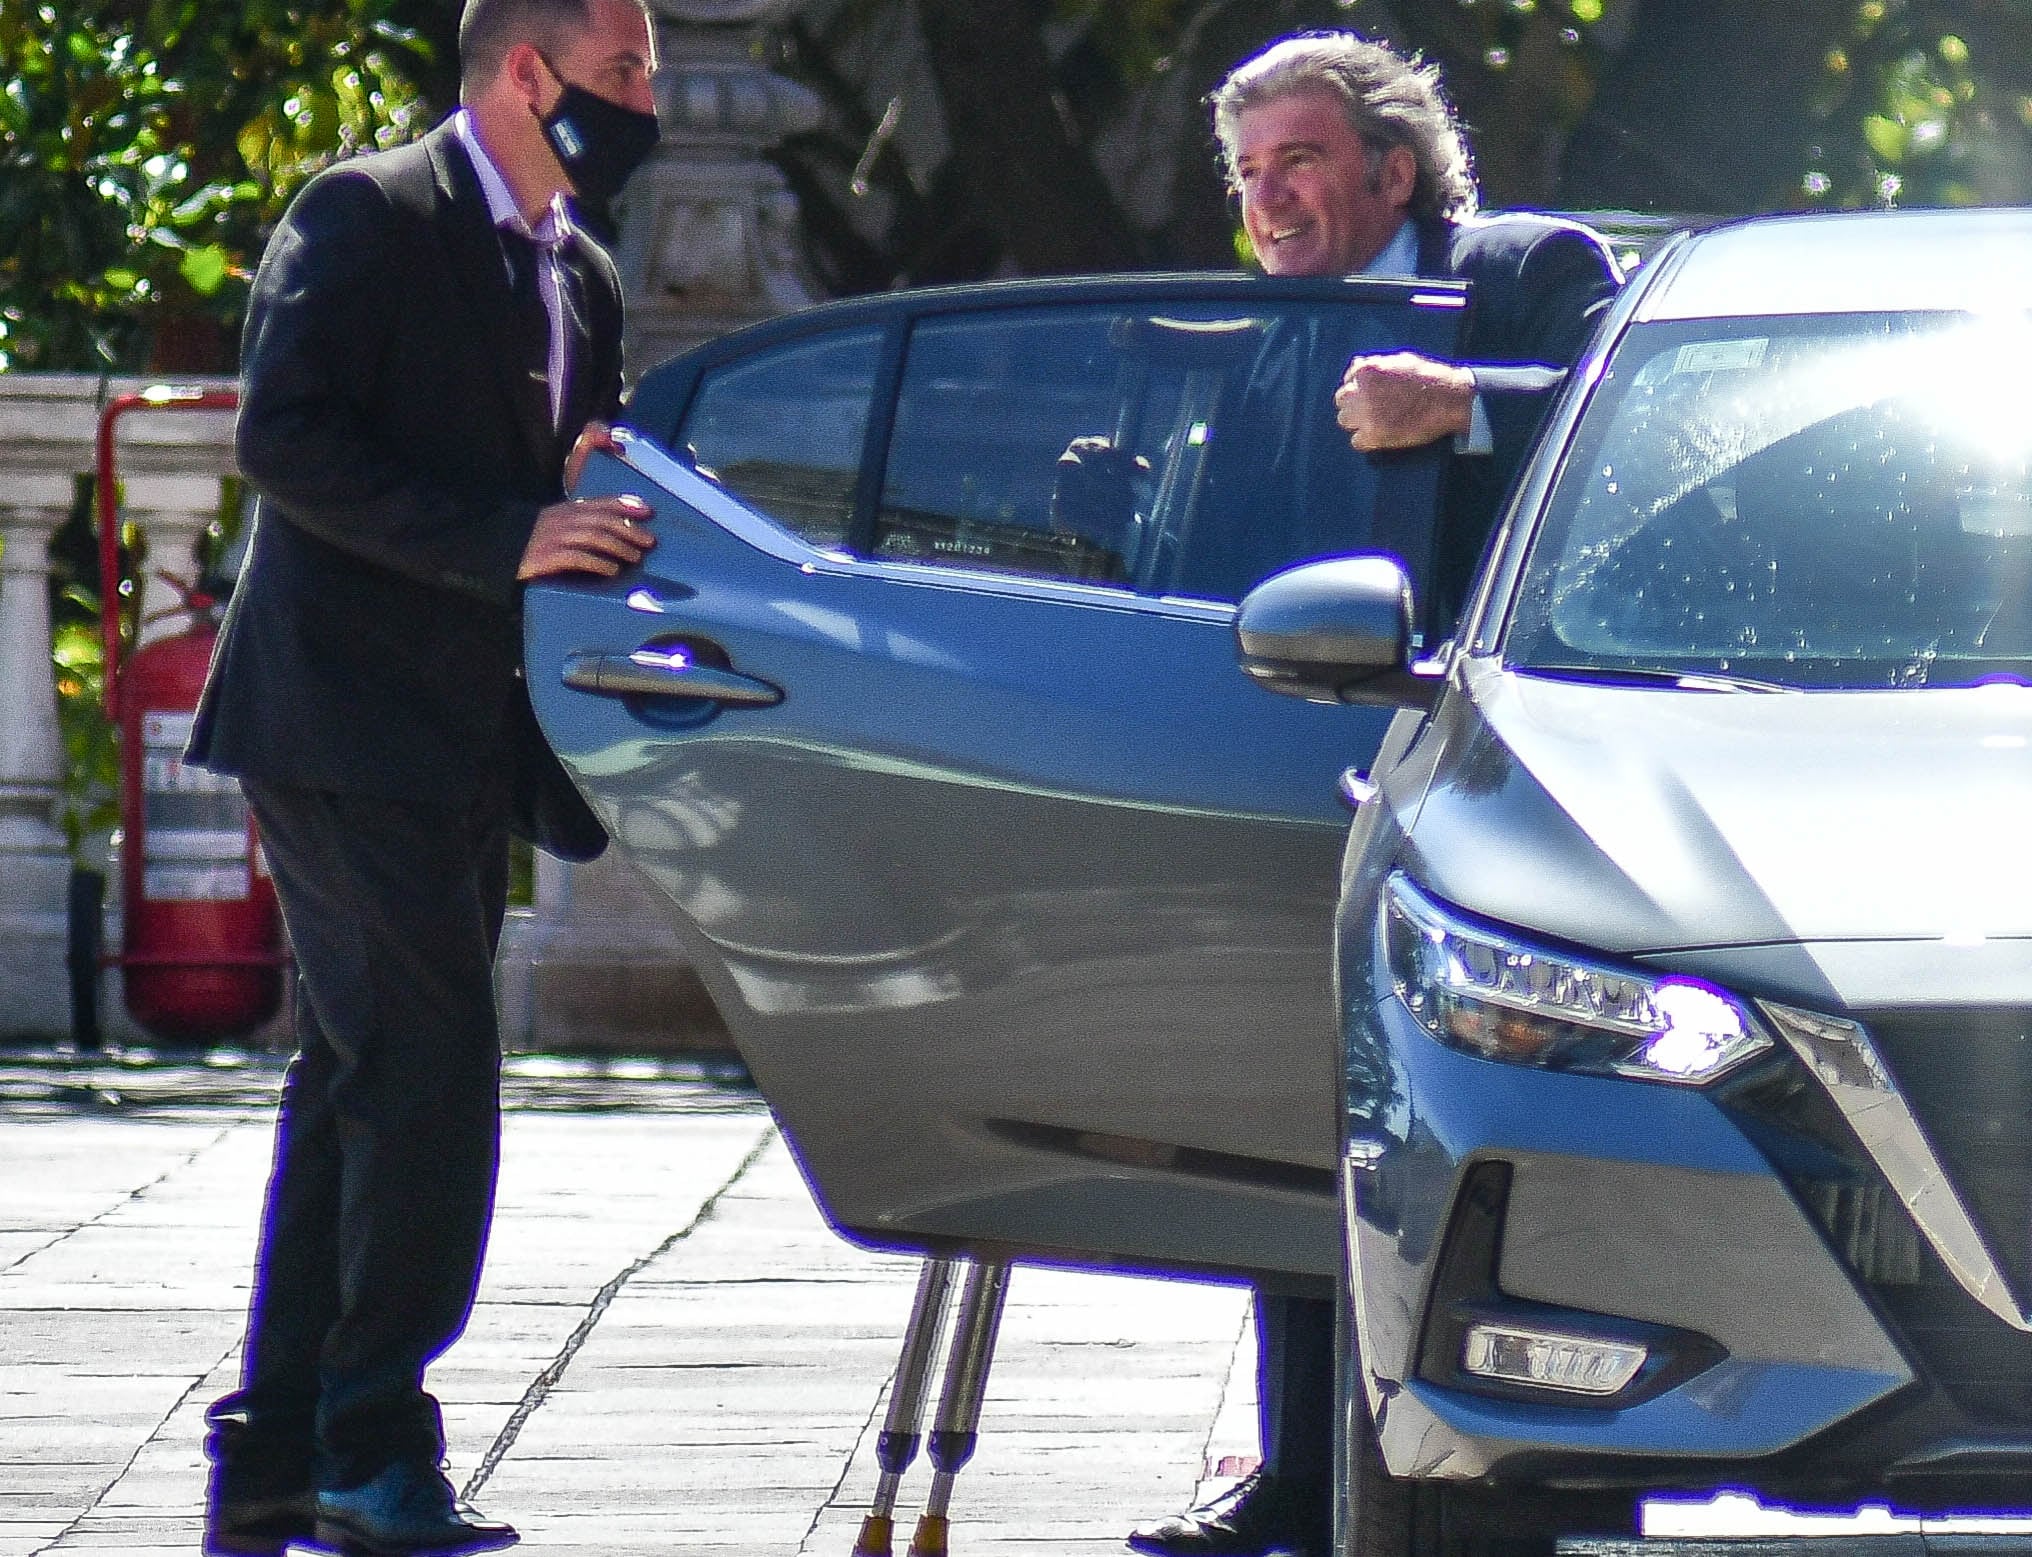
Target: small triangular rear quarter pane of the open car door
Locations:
point(783, 430)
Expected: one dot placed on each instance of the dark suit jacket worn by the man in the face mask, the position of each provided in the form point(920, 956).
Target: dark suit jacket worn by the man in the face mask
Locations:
point(401, 448)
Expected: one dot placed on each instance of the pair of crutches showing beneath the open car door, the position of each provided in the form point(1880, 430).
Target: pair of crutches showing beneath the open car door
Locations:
point(956, 1428)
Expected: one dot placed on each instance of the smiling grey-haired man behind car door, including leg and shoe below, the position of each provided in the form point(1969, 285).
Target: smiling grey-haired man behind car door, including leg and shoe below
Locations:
point(1348, 162)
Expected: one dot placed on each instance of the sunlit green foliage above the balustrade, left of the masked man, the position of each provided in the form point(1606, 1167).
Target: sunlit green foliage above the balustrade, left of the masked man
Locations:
point(147, 147)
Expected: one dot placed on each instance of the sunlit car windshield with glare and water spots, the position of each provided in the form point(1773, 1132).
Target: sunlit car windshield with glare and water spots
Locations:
point(1832, 501)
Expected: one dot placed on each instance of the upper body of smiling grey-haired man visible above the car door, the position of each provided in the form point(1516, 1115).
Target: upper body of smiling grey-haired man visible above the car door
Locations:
point(1348, 160)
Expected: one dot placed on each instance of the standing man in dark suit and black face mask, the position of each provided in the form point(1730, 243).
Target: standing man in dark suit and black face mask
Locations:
point(426, 342)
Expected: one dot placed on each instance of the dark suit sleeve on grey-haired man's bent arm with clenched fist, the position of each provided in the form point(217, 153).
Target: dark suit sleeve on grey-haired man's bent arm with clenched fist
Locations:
point(1562, 292)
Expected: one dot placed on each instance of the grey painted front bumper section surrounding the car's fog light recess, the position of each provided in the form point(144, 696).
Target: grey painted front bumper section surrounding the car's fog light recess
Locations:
point(1629, 1202)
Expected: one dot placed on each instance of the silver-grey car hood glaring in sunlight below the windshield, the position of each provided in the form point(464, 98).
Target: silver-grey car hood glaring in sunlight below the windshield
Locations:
point(1651, 820)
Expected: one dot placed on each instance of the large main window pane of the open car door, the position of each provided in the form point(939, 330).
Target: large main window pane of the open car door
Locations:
point(1180, 452)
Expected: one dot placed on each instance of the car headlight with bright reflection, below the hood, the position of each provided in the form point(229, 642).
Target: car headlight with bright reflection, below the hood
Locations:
point(1490, 995)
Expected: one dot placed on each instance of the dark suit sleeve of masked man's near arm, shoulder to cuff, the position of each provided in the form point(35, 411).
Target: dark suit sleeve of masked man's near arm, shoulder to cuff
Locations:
point(312, 434)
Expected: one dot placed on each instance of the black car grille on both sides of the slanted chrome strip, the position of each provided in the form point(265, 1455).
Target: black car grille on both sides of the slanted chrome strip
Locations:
point(1968, 1078)
